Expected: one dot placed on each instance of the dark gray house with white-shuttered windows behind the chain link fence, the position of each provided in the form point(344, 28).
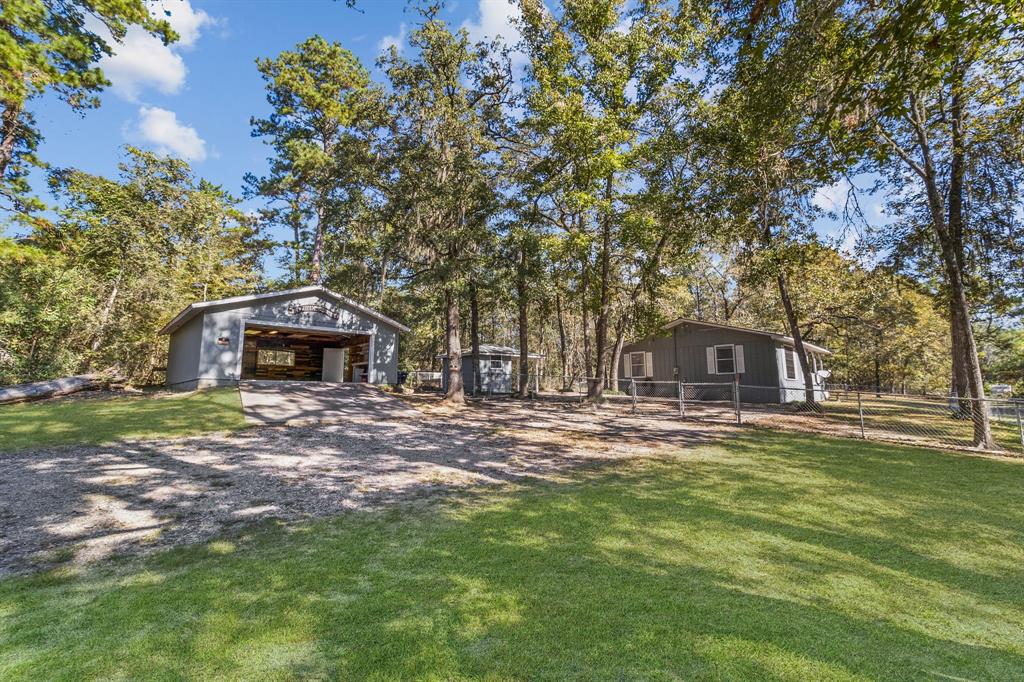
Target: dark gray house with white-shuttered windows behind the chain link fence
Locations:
point(702, 353)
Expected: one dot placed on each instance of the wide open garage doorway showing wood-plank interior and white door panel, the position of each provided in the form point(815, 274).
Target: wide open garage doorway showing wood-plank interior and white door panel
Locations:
point(296, 355)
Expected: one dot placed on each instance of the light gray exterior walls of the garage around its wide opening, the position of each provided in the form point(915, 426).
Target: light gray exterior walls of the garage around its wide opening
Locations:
point(220, 366)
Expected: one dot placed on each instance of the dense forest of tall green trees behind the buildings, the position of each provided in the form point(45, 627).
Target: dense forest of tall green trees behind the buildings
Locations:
point(638, 162)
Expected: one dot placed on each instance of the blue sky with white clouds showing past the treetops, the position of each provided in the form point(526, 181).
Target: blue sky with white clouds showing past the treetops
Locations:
point(195, 99)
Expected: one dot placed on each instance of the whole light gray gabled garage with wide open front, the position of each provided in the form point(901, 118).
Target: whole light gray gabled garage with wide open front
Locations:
point(308, 334)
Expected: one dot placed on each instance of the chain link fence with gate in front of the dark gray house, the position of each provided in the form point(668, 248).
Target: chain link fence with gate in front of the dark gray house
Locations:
point(919, 420)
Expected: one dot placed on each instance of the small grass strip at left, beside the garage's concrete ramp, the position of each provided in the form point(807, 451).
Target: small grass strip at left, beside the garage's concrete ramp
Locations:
point(102, 420)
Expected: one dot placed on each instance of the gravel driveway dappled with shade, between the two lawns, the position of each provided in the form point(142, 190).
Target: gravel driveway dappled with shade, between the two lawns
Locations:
point(83, 503)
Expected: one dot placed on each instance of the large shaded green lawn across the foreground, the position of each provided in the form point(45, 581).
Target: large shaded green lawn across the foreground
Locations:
point(772, 557)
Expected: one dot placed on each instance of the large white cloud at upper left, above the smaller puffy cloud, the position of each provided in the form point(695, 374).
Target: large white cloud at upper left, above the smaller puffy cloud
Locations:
point(142, 61)
